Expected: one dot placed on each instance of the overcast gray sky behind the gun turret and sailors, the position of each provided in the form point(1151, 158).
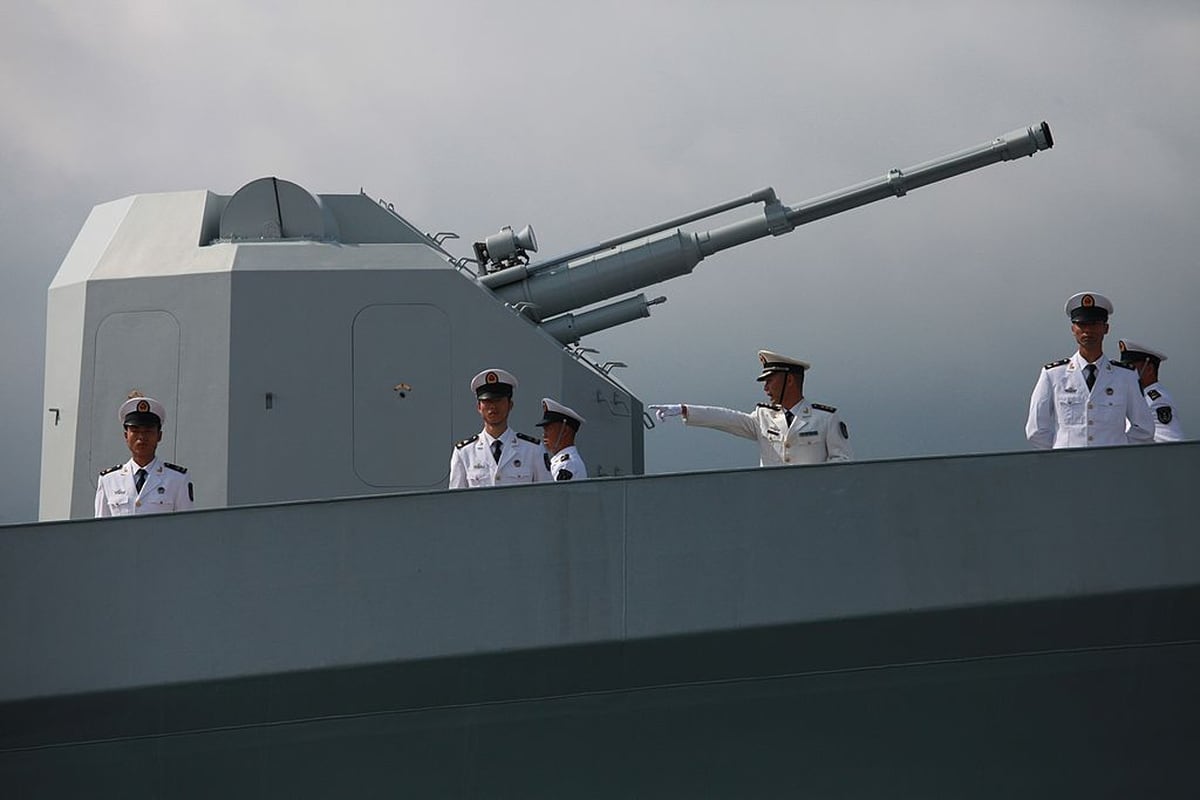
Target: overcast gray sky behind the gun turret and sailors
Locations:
point(927, 318)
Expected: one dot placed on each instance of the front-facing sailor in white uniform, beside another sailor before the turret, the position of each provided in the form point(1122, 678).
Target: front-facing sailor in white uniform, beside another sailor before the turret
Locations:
point(497, 455)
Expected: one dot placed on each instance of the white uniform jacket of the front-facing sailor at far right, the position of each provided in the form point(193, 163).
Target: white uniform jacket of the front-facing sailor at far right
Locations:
point(1065, 414)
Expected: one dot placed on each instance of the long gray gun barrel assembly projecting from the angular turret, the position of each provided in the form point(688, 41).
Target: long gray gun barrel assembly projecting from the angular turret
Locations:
point(651, 256)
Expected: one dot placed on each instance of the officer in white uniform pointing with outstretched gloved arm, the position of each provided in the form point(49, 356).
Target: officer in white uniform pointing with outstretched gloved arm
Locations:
point(790, 430)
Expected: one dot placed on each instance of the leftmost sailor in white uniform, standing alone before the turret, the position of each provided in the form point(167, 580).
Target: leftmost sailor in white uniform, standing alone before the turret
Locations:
point(145, 484)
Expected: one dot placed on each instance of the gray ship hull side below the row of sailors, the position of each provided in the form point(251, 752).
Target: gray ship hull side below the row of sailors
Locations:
point(953, 627)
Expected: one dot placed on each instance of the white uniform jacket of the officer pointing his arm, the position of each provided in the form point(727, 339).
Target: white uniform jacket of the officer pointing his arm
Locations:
point(815, 436)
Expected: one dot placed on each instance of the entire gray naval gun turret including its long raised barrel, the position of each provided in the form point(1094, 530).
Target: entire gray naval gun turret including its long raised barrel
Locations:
point(311, 346)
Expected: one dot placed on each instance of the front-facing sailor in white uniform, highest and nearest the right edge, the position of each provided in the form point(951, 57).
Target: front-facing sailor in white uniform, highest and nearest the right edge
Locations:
point(1087, 401)
